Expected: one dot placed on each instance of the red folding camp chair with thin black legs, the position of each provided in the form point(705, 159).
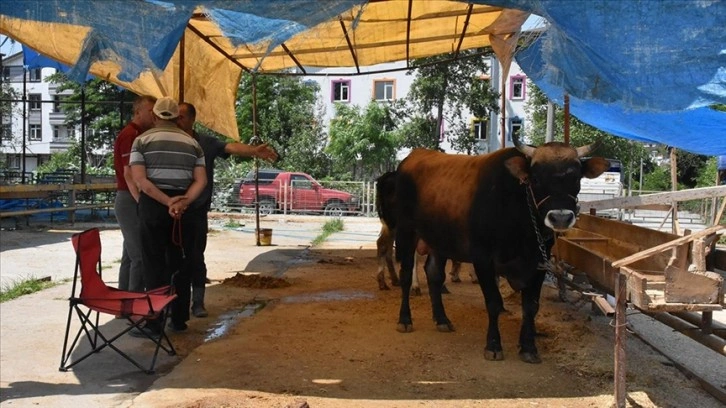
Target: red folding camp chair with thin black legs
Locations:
point(96, 296)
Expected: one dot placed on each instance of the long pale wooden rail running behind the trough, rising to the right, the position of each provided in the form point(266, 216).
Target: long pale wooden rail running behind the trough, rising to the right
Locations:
point(657, 198)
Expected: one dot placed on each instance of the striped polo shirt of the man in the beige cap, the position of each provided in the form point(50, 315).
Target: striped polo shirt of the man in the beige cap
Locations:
point(170, 156)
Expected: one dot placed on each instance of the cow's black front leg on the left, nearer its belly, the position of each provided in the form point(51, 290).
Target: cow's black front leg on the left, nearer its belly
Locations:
point(494, 303)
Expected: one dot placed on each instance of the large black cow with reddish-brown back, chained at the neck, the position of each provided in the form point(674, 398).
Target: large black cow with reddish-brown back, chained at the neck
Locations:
point(497, 211)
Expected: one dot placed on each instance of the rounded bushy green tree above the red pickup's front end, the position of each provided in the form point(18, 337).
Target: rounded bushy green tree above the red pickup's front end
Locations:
point(363, 143)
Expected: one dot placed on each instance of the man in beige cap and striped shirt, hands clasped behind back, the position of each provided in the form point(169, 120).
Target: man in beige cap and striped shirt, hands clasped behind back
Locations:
point(167, 165)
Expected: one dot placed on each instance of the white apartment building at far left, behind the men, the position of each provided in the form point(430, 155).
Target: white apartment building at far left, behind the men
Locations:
point(38, 125)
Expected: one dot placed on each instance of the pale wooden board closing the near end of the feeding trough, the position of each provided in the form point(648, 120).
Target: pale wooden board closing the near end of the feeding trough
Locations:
point(692, 287)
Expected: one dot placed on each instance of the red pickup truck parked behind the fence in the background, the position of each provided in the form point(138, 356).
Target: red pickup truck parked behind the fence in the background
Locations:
point(295, 192)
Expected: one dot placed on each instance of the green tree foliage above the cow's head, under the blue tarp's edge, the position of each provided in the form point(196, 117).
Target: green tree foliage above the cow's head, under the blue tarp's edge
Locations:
point(629, 153)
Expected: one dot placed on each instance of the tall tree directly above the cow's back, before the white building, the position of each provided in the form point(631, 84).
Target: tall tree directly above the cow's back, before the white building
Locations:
point(445, 88)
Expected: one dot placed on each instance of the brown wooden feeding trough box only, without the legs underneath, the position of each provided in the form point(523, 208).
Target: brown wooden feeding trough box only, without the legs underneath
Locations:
point(654, 264)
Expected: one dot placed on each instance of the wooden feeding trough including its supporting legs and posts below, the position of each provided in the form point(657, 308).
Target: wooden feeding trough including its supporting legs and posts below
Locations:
point(660, 273)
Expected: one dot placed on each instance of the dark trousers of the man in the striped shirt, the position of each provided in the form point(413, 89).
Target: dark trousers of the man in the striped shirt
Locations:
point(168, 251)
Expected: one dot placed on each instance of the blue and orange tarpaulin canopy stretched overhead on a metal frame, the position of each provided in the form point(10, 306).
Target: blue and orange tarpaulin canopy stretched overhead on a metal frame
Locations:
point(641, 69)
